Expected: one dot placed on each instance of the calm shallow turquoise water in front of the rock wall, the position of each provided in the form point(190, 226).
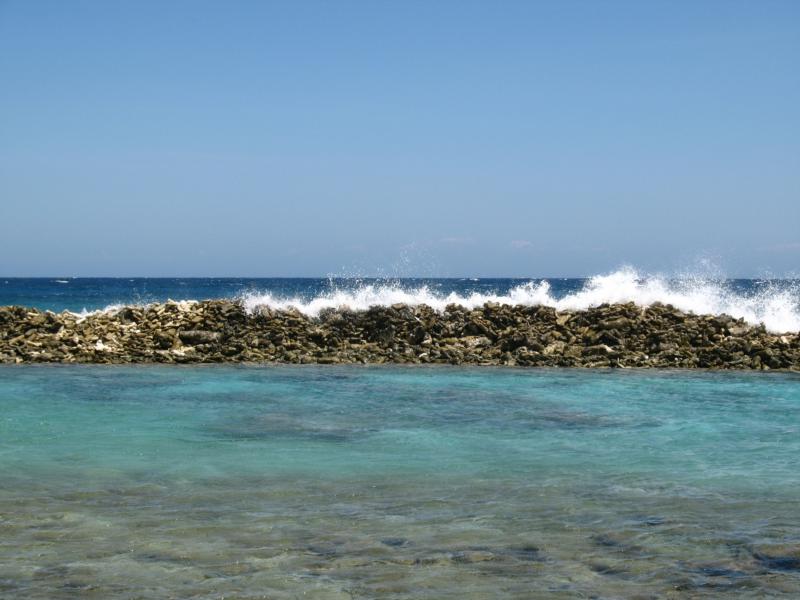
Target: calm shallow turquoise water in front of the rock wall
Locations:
point(363, 482)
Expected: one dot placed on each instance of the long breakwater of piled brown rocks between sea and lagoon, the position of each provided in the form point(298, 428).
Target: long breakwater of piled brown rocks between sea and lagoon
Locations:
point(620, 335)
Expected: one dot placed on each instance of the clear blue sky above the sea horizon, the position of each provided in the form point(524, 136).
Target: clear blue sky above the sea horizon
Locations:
point(433, 138)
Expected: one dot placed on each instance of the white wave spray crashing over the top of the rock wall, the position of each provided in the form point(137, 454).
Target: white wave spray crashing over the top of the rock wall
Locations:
point(777, 307)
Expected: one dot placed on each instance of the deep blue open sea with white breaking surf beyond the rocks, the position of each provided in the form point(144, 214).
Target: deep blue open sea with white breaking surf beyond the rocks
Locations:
point(775, 303)
